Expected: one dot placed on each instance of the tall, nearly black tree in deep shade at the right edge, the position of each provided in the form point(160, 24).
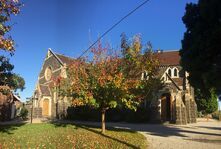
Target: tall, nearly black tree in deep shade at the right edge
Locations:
point(200, 53)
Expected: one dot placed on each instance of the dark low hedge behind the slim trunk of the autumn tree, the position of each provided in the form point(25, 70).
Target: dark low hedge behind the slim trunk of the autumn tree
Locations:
point(87, 113)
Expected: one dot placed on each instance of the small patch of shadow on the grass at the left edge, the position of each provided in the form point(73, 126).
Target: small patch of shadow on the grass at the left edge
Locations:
point(9, 128)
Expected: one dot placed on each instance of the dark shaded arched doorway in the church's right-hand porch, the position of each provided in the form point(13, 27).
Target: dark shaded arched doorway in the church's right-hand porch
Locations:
point(166, 107)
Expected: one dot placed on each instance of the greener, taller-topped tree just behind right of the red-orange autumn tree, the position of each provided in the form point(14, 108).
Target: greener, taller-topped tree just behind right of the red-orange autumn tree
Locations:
point(141, 64)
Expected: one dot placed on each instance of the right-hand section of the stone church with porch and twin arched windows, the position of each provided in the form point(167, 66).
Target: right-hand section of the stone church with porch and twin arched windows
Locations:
point(175, 102)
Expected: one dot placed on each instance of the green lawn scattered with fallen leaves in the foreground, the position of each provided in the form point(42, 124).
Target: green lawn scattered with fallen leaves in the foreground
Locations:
point(67, 136)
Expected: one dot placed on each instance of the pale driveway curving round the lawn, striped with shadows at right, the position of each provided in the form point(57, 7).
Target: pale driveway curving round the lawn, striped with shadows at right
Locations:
point(201, 135)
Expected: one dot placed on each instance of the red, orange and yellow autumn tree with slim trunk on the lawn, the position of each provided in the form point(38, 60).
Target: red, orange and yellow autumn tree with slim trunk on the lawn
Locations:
point(99, 83)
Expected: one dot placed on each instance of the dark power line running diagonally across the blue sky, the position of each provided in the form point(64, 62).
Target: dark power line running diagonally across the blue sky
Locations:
point(112, 27)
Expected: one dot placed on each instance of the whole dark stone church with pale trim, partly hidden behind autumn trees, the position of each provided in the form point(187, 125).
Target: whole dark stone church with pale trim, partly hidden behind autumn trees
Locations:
point(174, 103)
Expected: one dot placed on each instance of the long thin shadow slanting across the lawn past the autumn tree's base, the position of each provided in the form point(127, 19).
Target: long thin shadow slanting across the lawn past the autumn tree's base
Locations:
point(93, 128)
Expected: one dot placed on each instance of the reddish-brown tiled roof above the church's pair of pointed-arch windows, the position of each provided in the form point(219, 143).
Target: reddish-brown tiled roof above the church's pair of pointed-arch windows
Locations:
point(168, 57)
